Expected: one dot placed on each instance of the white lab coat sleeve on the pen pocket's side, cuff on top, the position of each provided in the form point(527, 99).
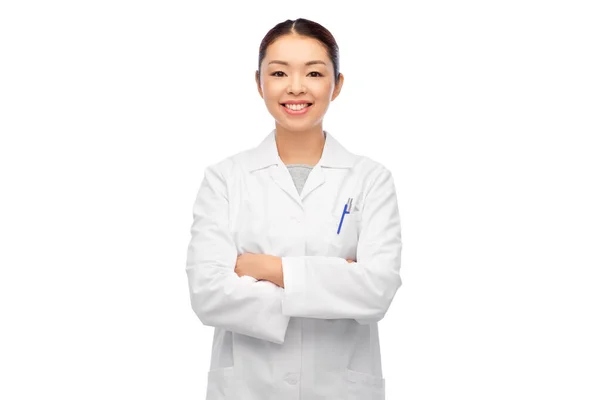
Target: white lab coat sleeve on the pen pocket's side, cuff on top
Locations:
point(330, 287)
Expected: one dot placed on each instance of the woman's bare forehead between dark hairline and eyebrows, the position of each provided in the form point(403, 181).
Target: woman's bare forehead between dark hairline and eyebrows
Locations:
point(296, 50)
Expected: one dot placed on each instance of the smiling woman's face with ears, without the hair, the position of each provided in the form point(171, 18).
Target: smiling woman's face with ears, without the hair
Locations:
point(285, 76)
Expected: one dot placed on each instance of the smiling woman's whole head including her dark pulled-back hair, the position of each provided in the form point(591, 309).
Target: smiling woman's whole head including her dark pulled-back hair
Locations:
point(298, 73)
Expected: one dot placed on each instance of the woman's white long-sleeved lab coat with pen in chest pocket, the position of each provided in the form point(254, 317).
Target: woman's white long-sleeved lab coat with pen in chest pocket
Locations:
point(316, 338)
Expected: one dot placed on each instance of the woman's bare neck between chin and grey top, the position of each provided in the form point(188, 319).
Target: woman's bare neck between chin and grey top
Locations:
point(300, 147)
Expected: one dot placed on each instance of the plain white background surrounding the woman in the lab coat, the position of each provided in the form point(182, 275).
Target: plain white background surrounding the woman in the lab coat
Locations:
point(487, 113)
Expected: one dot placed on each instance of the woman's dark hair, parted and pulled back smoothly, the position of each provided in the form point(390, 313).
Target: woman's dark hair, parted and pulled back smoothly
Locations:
point(303, 27)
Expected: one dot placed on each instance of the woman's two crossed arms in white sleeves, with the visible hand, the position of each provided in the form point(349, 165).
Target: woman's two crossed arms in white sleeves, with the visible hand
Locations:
point(230, 292)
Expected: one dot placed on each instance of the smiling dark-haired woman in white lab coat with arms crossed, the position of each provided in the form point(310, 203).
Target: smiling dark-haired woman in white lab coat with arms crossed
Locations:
point(295, 249)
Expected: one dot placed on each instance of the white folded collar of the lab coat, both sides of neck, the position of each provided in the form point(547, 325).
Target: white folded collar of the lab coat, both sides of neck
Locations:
point(334, 154)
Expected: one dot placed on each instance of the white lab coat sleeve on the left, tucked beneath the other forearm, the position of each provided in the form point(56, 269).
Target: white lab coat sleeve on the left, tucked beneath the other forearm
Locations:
point(219, 297)
